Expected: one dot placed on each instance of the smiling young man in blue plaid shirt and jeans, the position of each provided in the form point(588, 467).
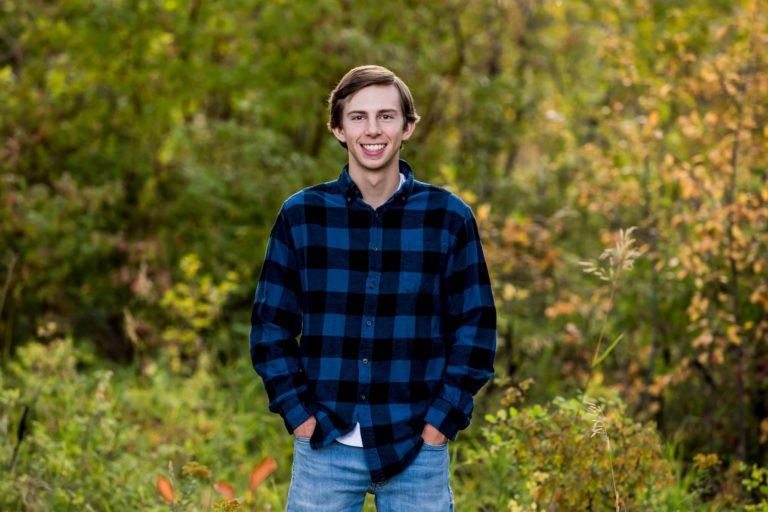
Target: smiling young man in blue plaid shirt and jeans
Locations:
point(384, 278)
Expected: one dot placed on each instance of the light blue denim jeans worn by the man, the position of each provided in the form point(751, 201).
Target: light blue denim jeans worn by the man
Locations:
point(335, 478)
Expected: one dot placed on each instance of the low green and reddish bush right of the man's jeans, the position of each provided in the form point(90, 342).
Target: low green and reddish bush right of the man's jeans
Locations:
point(568, 455)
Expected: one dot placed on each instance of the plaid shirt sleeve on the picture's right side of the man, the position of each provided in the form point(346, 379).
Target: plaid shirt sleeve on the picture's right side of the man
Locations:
point(470, 320)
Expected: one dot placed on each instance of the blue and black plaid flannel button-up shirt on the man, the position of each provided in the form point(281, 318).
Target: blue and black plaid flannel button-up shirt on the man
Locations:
point(395, 312)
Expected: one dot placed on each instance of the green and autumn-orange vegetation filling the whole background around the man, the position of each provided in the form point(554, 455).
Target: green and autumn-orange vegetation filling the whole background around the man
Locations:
point(146, 145)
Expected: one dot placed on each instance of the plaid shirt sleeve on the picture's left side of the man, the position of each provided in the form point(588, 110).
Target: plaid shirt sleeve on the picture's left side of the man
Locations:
point(275, 324)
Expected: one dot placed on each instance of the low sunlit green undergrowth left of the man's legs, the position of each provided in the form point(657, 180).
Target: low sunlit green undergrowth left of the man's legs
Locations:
point(74, 437)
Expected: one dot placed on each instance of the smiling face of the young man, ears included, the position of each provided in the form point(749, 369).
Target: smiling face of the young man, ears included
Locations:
point(373, 128)
